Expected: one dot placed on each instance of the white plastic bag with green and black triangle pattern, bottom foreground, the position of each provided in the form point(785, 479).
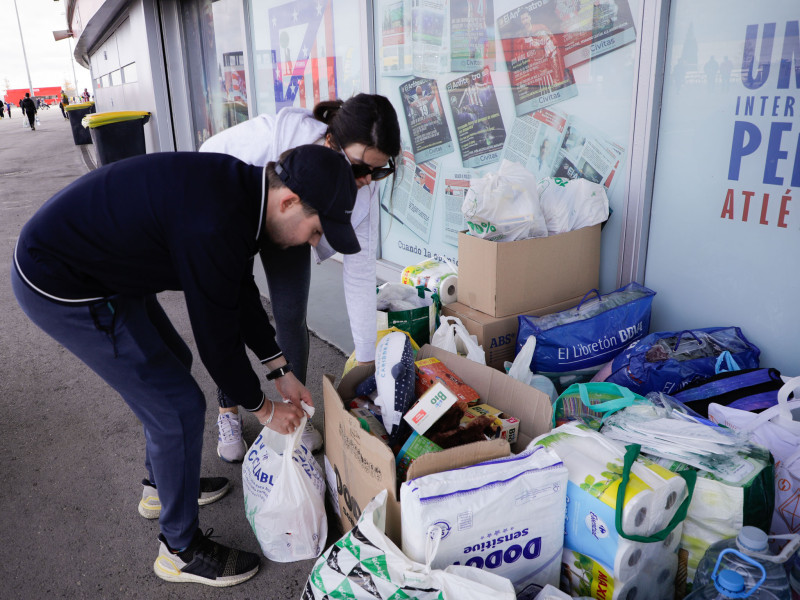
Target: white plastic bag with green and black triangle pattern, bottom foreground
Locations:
point(366, 565)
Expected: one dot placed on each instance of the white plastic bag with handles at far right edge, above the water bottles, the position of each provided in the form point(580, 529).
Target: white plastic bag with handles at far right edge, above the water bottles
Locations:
point(778, 429)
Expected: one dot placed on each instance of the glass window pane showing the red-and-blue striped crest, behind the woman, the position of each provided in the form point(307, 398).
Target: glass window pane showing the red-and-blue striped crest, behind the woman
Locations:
point(305, 51)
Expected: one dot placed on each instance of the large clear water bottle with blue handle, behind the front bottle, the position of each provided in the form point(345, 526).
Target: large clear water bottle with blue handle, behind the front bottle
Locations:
point(751, 542)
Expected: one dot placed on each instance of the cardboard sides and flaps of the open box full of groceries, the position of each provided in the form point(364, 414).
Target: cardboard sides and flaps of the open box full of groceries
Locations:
point(360, 465)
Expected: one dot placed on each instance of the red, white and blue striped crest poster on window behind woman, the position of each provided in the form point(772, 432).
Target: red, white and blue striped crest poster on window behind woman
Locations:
point(303, 55)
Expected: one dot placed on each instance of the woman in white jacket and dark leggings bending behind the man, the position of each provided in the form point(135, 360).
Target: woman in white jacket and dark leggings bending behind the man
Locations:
point(366, 130)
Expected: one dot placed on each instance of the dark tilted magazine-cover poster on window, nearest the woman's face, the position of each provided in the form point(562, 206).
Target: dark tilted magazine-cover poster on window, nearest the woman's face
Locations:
point(427, 125)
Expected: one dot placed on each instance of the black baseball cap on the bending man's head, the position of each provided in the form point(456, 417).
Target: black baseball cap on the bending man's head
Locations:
point(323, 179)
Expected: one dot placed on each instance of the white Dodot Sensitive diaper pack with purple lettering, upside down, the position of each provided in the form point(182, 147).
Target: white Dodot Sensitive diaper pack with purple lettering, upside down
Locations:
point(504, 516)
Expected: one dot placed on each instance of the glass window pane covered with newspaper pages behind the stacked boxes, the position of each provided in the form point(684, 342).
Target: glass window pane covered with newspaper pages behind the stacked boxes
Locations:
point(545, 83)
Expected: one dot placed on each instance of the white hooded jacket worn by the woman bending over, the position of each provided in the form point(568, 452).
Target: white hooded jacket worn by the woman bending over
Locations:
point(263, 139)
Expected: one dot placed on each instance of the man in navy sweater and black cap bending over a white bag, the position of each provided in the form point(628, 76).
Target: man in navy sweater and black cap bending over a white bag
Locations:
point(86, 270)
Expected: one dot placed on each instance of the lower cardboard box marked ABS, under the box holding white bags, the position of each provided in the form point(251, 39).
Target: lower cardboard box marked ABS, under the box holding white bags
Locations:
point(498, 335)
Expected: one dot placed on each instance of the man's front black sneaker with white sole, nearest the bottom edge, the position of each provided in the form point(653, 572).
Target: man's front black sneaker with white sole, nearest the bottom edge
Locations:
point(205, 561)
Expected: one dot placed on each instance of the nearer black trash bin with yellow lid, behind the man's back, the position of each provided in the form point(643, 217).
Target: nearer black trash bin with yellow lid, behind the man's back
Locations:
point(117, 135)
